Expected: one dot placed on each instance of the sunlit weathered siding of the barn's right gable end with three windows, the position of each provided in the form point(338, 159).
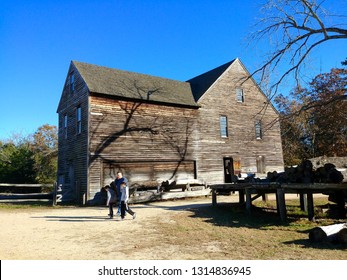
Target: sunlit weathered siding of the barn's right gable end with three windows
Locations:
point(241, 143)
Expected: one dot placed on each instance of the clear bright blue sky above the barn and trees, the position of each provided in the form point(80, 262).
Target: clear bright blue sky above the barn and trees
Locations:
point(173, 39)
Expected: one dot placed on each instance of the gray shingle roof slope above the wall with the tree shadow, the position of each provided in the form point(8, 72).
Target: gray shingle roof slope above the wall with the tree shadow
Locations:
point(133, 85)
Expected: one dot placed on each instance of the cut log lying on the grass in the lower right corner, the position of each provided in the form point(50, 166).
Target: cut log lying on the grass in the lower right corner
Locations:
point(327, 233)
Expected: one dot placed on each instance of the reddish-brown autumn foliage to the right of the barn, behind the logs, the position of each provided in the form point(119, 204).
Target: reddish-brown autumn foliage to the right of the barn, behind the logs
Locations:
point(314, 119)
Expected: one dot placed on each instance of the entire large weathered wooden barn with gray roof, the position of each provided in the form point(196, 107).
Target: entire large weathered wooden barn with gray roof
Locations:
point(156, 129)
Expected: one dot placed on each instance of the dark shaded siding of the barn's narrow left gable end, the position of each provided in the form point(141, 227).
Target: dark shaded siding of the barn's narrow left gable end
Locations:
point(73, 146)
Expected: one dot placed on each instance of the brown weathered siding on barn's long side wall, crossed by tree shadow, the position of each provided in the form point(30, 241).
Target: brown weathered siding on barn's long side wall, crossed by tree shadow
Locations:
point(149, 142)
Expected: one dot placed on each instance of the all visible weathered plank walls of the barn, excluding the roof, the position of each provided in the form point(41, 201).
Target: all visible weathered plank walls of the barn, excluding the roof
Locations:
point(162, 142)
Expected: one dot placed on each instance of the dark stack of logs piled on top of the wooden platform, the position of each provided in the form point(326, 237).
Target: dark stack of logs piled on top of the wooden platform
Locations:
point(305, 174)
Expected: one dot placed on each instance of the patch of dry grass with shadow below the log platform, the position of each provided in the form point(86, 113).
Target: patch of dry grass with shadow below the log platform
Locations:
point(234, 234)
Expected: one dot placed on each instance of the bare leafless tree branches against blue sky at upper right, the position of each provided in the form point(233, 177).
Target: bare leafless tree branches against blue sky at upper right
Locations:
point(295, 27)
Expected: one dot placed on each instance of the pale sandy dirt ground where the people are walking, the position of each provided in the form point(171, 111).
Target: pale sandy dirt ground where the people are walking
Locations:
point(70, 233)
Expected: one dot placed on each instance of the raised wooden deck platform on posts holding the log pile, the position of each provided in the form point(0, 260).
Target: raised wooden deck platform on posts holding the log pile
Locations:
point(306, 191)
